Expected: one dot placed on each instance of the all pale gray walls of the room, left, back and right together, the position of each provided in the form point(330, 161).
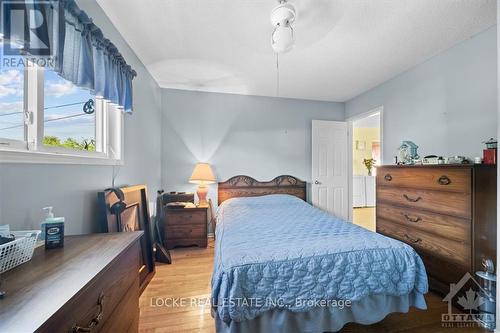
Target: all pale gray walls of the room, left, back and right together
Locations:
point(447, 105)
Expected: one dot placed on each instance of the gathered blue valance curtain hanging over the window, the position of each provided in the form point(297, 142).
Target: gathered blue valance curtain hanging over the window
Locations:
point(81, 52)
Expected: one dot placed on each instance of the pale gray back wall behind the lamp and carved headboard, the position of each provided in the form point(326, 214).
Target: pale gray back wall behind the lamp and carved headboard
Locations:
point(258, 136)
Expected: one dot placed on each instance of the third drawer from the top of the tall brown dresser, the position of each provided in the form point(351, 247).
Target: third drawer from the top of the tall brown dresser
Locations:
point(441, 225)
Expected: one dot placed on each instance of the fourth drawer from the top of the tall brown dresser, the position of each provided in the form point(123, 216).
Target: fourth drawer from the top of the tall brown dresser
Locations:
point(433, 245)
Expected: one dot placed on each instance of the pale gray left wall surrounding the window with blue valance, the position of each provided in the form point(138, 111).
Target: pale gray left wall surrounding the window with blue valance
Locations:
point(71, 189)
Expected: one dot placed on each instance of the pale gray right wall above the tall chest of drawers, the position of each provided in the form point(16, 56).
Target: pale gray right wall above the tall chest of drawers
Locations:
point(447, 105)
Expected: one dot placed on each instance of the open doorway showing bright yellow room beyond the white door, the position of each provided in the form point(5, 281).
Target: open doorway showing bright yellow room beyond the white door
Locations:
point(366, 155)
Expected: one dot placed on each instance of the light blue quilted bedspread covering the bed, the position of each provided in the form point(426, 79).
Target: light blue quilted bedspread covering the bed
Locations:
point(277, 251)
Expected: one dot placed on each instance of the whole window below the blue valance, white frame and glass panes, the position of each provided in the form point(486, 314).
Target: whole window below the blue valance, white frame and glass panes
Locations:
point(45, 118)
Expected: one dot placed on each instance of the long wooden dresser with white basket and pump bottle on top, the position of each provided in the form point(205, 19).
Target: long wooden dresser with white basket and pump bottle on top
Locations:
point(93, 282)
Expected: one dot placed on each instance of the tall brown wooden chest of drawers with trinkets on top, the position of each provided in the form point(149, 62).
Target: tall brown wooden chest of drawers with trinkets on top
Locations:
point(447, 213)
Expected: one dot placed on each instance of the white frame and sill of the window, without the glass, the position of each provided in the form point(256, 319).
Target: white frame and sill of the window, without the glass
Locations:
point(109, 119)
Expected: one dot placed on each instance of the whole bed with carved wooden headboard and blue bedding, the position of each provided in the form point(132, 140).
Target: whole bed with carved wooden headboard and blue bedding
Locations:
point(282, 265)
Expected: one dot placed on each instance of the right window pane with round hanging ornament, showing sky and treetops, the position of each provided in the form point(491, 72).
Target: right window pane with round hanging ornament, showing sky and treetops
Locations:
point(69, 114)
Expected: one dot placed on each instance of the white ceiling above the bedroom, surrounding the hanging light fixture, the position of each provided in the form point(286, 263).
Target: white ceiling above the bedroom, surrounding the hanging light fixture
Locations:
point(343, 47)
